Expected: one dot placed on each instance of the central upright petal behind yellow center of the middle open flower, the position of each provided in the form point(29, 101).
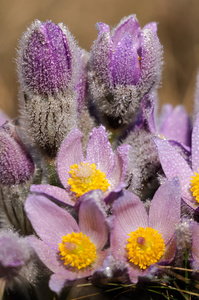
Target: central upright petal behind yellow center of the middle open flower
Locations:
point(99, 150)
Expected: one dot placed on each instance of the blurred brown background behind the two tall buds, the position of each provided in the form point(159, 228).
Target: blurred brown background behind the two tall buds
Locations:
point(178, 30)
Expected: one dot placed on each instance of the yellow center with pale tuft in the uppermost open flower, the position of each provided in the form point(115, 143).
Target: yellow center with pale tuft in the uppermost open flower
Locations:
point(86, 177)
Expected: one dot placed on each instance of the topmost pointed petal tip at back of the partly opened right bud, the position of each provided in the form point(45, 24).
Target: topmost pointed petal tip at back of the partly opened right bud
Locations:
point(129, 26)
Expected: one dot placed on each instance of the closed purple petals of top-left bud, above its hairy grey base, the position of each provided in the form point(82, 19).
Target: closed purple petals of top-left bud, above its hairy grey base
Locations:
point(45, 62)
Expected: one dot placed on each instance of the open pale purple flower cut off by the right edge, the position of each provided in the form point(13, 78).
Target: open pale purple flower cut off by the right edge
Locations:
point(174, 164)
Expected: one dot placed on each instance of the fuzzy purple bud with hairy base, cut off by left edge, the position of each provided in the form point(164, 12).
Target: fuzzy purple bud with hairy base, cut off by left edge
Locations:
point(16, 174)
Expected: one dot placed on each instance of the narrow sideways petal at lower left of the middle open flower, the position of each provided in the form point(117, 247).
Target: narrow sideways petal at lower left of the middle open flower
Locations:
point(54, 192)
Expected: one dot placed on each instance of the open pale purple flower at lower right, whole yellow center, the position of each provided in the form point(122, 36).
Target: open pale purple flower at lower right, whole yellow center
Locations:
point(140, 240)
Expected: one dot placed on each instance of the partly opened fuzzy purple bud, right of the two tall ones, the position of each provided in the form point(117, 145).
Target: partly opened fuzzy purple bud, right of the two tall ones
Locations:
point(125, 65)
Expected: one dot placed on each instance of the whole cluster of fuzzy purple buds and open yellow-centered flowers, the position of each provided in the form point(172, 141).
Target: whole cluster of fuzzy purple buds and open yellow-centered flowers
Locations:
point(95, 185)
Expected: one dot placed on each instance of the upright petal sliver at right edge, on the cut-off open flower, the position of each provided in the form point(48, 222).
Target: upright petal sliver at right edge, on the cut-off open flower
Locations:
point(195, 146)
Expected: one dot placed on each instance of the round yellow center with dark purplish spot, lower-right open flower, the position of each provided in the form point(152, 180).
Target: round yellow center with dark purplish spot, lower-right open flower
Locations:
point(145, 247)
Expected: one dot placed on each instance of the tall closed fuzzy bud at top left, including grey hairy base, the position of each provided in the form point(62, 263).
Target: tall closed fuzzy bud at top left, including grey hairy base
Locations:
point(49, 68)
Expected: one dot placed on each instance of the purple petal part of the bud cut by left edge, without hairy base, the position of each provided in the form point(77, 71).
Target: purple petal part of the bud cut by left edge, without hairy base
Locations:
point(16, 164)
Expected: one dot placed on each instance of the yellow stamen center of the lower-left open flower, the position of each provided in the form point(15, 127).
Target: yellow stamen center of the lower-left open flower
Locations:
point(77, 250)
